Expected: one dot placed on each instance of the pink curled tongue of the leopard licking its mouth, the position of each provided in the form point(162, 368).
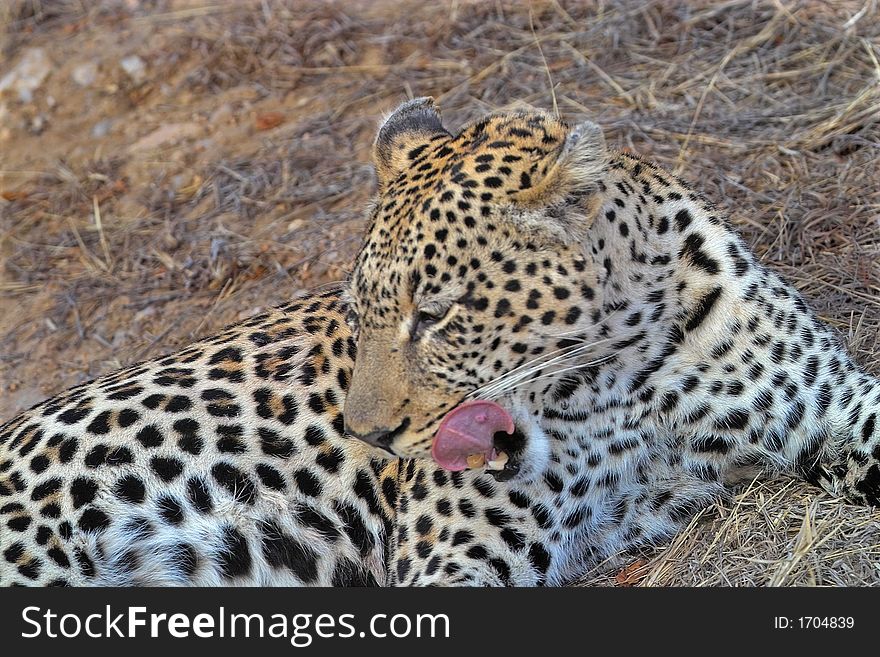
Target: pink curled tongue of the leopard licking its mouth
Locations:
point(469, 429)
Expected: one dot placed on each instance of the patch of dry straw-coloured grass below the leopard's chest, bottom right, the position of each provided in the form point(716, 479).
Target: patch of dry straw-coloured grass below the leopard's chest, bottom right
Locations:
point(776, 533)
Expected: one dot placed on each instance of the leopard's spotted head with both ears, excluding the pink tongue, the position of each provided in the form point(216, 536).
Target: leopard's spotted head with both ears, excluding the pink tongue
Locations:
point(473, 271)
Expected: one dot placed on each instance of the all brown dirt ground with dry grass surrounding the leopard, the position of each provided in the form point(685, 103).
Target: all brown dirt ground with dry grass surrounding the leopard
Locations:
point(171, 166)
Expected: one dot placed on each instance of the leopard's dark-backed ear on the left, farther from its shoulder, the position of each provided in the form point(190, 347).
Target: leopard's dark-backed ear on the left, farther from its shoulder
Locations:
point(405, 134)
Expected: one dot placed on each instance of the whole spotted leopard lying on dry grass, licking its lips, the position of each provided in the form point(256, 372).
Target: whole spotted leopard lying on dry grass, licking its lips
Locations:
point(548, 353)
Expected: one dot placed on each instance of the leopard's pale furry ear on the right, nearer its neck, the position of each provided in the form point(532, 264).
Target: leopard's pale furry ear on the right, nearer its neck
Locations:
point(573, 168)
